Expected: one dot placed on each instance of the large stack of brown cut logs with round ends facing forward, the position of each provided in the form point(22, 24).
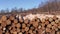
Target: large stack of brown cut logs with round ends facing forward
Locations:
point(13, 25)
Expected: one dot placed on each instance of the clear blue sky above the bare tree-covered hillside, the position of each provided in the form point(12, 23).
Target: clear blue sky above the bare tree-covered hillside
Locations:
point(26, 4)
